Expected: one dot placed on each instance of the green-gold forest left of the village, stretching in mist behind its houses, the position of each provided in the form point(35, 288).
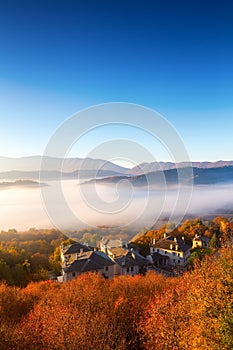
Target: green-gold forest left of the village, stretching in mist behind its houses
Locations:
point(34, 255)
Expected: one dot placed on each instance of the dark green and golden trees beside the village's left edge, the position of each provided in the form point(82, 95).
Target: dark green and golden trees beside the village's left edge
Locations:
point(29, 256)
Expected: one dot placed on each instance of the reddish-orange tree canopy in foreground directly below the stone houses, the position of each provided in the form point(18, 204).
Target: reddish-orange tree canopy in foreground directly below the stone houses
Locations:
point(89, 313)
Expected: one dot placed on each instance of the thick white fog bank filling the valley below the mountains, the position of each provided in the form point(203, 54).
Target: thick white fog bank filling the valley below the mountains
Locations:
point(112, 205)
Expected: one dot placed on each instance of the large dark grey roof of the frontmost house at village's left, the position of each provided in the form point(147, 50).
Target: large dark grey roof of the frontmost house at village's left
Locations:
point(90, 261)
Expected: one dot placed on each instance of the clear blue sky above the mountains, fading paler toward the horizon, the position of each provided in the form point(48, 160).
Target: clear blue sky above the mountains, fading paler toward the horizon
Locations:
point(57, 57)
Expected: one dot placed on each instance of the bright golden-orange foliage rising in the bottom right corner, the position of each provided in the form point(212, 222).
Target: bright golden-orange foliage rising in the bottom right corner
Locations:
point(196, 310)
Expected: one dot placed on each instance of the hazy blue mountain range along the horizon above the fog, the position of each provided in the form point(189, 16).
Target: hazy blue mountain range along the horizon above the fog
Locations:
point(87, 168)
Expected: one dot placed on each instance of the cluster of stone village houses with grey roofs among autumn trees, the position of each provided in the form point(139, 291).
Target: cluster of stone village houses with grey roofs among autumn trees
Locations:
point(114, 257)
